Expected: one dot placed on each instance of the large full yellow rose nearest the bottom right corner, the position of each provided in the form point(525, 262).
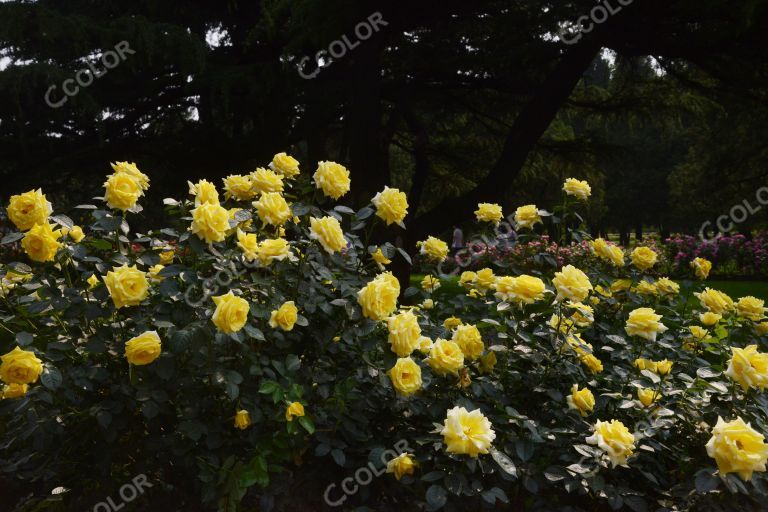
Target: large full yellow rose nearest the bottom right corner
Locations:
point(737, 448)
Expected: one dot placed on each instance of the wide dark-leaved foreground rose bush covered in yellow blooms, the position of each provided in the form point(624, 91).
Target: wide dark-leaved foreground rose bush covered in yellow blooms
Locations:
point(256, 354)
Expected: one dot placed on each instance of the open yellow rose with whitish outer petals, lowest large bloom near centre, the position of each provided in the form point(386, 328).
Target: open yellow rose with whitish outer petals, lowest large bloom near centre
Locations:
point(467, 433)
